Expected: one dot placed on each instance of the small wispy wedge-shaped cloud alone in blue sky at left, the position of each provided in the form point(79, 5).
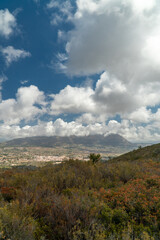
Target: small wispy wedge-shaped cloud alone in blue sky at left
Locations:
point(12, 55)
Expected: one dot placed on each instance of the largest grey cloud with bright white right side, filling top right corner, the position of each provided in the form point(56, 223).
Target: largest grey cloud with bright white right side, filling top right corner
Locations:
point(113, 35)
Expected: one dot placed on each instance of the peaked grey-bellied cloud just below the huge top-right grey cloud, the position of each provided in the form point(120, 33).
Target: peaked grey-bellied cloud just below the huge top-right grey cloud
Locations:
point(112, 96)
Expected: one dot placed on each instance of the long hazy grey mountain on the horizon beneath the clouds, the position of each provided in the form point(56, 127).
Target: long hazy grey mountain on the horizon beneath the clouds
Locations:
point(113, 140)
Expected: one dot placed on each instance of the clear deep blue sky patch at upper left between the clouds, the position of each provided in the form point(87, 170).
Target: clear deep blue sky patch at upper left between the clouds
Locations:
point(36, 35)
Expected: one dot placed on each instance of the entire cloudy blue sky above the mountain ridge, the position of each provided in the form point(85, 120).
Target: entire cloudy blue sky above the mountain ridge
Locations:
point(80, 67)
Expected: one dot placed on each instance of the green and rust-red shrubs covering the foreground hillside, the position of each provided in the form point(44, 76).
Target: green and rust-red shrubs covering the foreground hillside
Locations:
point(76, 200)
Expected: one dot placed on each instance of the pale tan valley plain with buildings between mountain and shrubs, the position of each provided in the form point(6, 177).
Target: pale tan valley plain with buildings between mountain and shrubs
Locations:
point(39, 156)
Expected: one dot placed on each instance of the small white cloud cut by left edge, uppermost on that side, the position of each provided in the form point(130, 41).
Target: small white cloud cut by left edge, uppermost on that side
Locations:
point(7, 23)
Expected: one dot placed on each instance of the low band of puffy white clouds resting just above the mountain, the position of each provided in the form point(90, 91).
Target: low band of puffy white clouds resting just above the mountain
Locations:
point(61, 128)
